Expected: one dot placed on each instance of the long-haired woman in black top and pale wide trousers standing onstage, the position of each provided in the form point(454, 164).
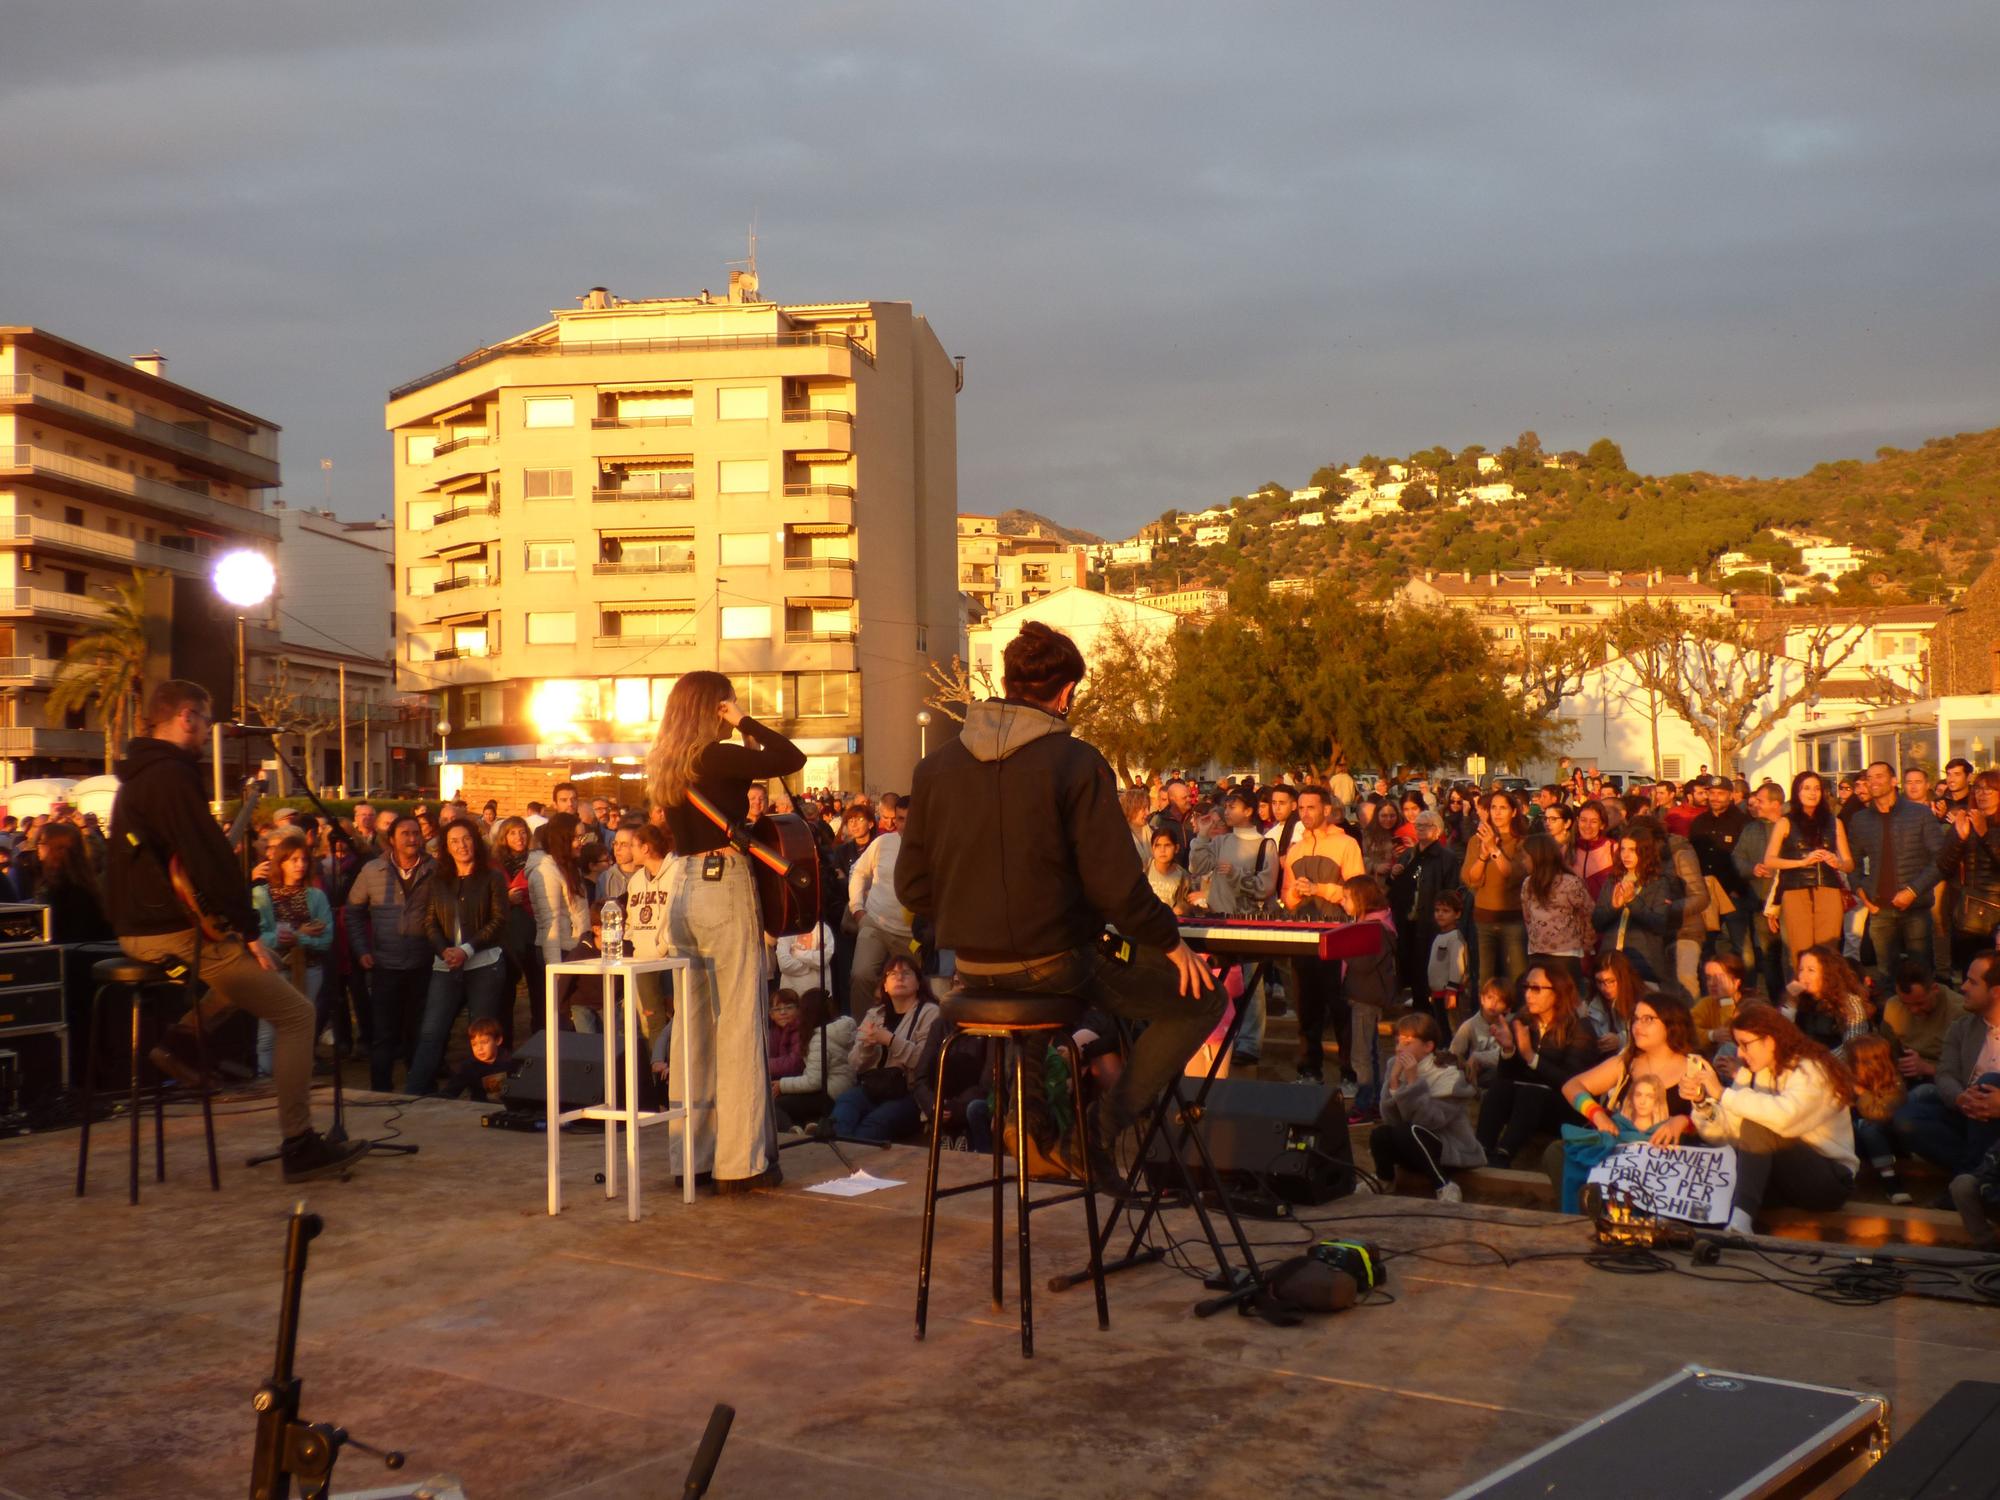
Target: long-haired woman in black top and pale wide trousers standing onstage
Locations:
point(713, 921)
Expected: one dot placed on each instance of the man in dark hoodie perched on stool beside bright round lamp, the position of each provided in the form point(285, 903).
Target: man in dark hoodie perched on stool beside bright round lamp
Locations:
point(163, 845)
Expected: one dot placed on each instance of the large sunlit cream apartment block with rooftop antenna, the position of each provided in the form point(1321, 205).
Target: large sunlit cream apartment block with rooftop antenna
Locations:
point(639, 489)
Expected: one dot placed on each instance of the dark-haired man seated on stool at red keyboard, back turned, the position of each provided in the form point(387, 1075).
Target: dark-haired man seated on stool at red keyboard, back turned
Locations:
point(1019, 853)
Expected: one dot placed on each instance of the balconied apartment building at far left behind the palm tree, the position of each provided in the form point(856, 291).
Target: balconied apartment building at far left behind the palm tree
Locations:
point(111, 469)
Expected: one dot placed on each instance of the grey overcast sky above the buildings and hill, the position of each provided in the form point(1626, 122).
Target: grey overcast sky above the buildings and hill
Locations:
point(1183, 249)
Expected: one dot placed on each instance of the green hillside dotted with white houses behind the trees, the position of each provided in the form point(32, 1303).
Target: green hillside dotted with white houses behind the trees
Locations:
point(1925, 515)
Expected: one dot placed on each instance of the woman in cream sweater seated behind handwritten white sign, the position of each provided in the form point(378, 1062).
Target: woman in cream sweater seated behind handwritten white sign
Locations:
point(1789, 1115)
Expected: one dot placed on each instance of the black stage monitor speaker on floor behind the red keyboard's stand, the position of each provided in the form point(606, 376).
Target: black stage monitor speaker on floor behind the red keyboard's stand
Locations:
point(1287, 1141)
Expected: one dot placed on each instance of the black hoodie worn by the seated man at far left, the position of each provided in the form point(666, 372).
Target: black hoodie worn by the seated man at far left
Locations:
point(163, 813)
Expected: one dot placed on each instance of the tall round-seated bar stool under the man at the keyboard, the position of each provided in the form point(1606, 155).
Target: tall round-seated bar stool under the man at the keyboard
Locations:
point(1005, 1019)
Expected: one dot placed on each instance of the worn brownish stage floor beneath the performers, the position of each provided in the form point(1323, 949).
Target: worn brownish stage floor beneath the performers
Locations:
point(579, 1357)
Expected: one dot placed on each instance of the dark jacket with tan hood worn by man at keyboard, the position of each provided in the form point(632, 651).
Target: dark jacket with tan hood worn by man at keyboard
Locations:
point(1017, 845)
